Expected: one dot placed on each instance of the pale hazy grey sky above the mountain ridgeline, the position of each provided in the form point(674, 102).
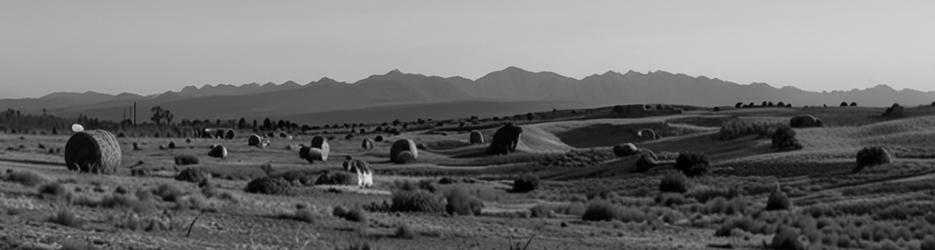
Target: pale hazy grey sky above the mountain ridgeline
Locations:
point(152, 46)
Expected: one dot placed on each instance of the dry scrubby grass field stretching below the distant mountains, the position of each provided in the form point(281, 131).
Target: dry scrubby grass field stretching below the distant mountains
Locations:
point(564, 188)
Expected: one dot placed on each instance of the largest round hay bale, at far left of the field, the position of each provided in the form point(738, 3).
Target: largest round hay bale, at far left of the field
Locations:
point(93, 151)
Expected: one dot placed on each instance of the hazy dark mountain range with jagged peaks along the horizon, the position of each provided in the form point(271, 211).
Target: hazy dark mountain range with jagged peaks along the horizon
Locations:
point(398, 95)
